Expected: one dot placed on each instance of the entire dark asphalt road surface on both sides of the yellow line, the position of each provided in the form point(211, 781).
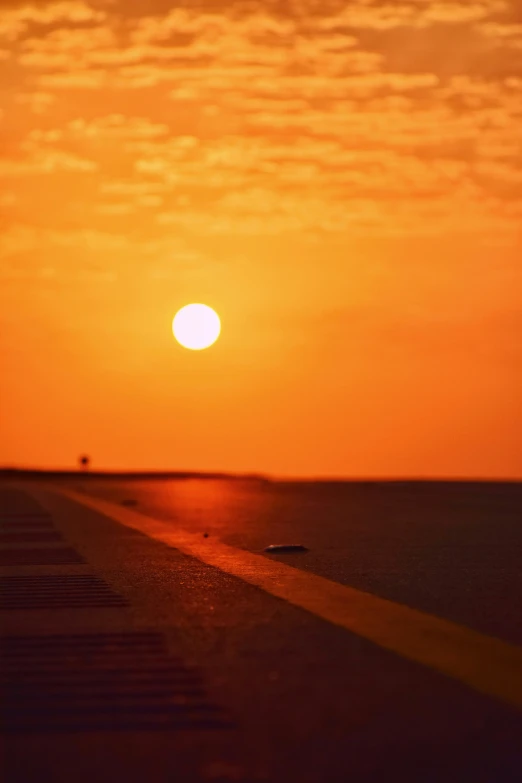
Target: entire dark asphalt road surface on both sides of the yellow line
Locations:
point(125, 658)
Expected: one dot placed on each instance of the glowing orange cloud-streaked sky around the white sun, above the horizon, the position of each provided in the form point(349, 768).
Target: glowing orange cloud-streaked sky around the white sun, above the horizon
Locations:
point(342, 182)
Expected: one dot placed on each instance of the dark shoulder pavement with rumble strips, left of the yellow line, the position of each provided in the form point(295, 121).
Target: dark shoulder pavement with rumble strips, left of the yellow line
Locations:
point(123, 659)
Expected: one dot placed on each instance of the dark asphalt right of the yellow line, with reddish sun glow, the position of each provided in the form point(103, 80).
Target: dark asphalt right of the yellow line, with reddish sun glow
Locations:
point(450, 549)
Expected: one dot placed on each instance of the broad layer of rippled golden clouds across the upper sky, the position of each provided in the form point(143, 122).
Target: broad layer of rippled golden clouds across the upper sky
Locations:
point(288, 108)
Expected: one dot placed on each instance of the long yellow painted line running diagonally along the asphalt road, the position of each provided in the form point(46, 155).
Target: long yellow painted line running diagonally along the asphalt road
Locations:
point(484, 663)
